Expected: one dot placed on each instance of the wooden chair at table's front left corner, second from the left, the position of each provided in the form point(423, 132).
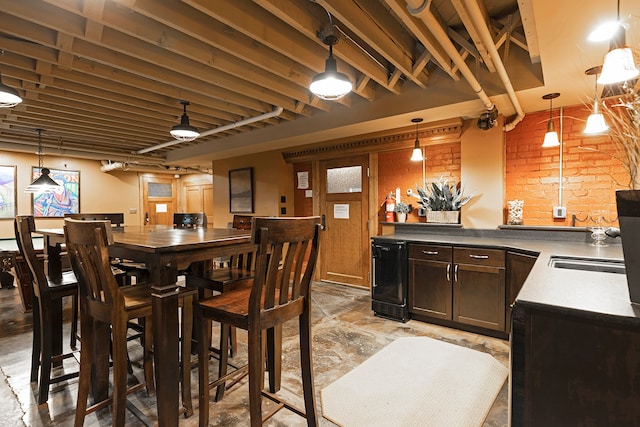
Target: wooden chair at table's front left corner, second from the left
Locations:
point(106, 307)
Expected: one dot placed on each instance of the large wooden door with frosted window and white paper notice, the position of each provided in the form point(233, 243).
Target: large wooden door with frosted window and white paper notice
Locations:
point(344, 192)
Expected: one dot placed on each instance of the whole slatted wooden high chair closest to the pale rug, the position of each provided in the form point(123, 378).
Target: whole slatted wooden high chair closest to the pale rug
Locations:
point(287, 251)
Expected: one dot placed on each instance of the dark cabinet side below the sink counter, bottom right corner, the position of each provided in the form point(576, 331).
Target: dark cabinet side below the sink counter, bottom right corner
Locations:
point(573, 368)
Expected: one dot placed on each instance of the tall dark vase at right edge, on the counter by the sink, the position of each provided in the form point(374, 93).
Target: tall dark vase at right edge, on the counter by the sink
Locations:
point(628, 203)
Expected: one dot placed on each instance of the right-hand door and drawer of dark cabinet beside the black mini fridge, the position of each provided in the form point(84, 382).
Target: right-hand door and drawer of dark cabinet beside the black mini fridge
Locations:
point(479, 287)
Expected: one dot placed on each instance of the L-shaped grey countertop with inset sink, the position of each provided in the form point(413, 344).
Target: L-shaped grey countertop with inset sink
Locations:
point(593, 293)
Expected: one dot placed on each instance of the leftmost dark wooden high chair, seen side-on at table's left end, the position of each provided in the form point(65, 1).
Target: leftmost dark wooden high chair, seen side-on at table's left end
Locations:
point(48, 296)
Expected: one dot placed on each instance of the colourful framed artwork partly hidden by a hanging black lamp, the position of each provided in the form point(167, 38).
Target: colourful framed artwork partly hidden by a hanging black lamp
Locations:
point(63, 200)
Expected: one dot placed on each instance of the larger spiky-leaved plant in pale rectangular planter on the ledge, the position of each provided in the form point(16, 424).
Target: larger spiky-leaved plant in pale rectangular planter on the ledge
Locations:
point(442, 200)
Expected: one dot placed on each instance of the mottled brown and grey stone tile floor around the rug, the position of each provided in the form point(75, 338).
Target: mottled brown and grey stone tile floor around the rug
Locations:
point(345, 334)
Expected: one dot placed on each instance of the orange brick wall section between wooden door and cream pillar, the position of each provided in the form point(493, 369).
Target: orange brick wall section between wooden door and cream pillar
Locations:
point(396, 170)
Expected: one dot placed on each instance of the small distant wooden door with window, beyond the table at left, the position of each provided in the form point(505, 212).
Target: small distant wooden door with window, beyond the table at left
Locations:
point(158, 199)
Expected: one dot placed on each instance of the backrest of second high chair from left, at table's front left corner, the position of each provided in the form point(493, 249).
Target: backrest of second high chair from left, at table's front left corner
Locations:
point(88, 247)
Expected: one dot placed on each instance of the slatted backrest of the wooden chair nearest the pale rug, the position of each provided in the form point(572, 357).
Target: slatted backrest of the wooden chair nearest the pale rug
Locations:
point(287, 251)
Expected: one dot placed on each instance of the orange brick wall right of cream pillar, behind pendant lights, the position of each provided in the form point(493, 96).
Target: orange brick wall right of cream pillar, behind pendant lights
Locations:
point(590, 178)
